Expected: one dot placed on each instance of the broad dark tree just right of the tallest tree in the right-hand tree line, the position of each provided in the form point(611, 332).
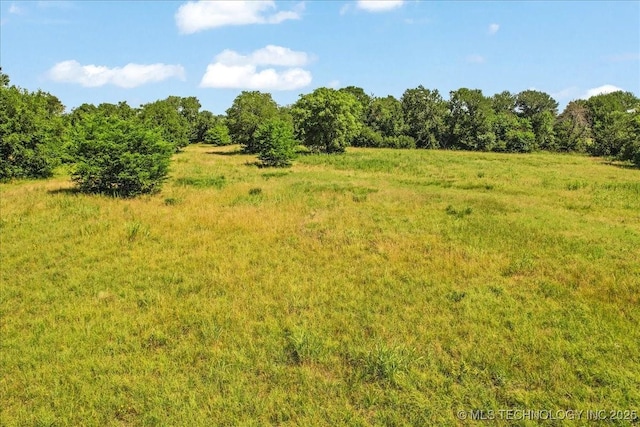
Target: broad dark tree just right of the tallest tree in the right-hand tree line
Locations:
point(470, 122)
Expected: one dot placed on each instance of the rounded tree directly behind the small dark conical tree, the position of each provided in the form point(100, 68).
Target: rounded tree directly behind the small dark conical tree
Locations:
point(248, 111)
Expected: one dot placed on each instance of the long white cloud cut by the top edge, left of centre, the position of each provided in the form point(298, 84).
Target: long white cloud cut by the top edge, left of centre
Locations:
point(201, 15)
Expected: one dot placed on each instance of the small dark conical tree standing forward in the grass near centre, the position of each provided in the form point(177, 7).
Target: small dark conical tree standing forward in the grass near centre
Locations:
point(276, 143)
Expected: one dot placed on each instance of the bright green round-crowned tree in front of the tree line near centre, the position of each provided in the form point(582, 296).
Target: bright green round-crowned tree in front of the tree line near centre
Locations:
point(327, 120)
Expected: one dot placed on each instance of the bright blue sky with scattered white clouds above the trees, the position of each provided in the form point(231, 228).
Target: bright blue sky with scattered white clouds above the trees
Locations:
point(141, 51)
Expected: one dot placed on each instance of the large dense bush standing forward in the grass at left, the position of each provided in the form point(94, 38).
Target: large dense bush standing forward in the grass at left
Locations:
point(118, 157)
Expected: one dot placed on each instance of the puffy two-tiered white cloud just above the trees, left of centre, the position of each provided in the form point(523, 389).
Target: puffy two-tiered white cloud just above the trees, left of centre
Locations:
point(232, 70)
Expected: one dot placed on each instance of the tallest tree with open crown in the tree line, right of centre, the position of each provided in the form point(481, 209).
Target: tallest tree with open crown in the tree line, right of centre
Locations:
point(424, 115)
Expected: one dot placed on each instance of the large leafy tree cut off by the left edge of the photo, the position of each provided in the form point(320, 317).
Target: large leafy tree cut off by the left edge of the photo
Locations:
point(31, 132)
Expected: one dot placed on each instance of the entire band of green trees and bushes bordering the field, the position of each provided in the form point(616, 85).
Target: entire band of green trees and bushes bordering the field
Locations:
point(120, 150)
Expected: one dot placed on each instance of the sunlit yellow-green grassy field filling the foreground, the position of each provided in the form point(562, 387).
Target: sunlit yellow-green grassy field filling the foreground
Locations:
point(379, 287)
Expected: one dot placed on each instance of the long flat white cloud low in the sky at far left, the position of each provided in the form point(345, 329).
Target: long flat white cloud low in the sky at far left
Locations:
point(129, 76)
